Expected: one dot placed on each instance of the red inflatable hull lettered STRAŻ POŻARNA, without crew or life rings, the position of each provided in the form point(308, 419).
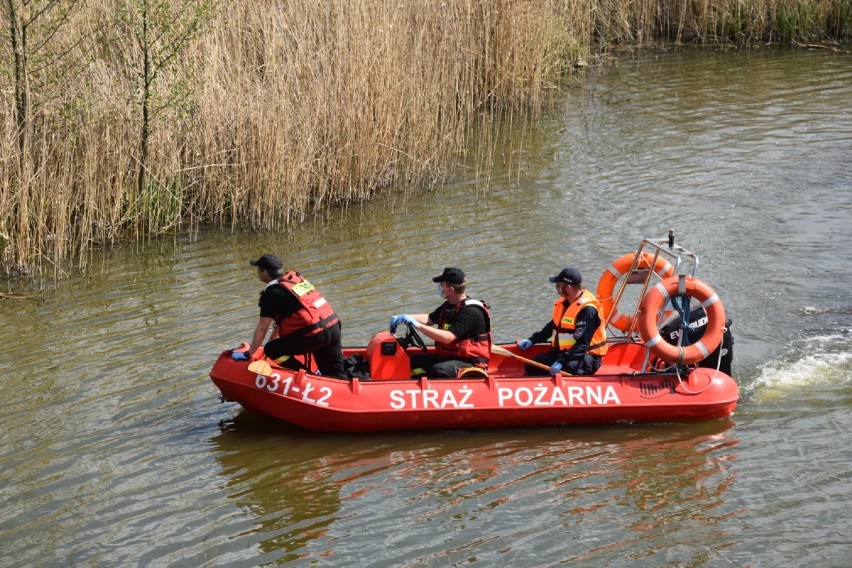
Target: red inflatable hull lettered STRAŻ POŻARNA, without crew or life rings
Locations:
point(506, 398)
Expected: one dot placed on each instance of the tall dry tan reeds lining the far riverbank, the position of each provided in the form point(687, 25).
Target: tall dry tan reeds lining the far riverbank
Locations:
point(130, 119)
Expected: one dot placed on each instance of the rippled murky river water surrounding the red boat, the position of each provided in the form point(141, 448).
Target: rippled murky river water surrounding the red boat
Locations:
point(115, 451)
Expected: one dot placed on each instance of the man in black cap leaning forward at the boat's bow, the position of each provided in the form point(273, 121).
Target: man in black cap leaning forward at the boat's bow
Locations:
point(306, 322)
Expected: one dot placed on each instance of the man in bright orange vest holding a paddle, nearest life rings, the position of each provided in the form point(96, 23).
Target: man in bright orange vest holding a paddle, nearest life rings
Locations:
point(576, 331)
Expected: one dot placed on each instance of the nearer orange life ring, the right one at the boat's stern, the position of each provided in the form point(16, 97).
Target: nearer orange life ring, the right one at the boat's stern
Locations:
point(656, 298)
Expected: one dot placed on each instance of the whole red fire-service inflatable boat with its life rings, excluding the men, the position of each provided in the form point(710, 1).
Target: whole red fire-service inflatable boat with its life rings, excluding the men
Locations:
point(650, 375)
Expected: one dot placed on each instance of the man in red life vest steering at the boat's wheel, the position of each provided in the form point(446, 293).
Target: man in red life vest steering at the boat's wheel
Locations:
point(460, 328)
